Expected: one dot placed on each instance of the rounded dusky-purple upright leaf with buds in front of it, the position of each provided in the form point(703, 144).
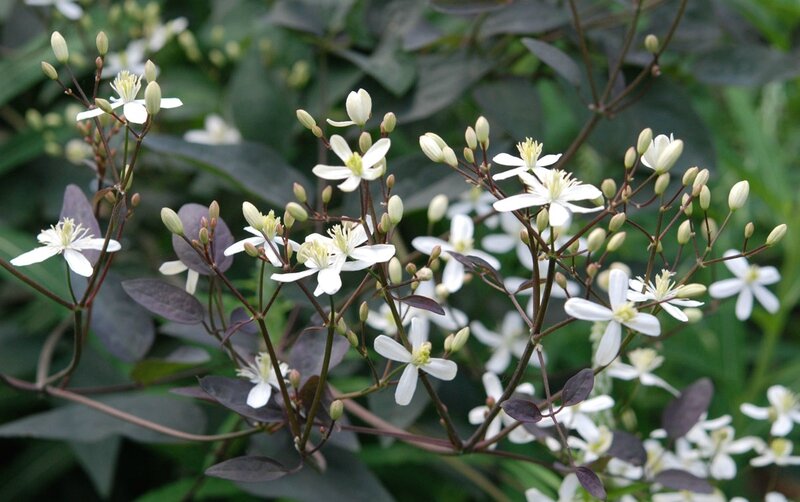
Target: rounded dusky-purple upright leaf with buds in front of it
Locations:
point(191, 216)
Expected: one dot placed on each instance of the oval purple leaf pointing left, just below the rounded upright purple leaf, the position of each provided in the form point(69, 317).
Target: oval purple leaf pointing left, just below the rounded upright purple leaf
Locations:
point(165, 300)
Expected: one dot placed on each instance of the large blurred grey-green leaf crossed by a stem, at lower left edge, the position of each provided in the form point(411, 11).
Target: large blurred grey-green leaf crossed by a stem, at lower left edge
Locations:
point(77, 422)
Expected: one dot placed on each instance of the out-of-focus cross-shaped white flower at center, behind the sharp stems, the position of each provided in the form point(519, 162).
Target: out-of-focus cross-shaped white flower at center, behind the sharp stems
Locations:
point(461, 241)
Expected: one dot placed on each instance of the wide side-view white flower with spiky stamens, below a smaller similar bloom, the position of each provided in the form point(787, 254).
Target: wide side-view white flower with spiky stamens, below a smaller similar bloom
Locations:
point(558, 190)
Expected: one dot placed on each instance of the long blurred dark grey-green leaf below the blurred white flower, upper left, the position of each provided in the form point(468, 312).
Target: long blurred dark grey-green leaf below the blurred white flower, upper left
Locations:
point(255, 169)
